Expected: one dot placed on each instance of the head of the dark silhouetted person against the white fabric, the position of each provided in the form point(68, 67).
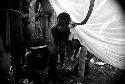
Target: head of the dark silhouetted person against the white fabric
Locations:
point(64, 18)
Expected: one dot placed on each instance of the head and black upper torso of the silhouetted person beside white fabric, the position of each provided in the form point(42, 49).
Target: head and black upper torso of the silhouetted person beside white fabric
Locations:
point(61, 31)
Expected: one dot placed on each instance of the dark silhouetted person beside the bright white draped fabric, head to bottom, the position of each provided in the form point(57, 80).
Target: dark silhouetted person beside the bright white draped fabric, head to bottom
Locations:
point(68, 53)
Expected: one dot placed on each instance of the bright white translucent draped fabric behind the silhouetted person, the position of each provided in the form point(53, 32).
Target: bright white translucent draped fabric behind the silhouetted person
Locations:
point(104, 33)
